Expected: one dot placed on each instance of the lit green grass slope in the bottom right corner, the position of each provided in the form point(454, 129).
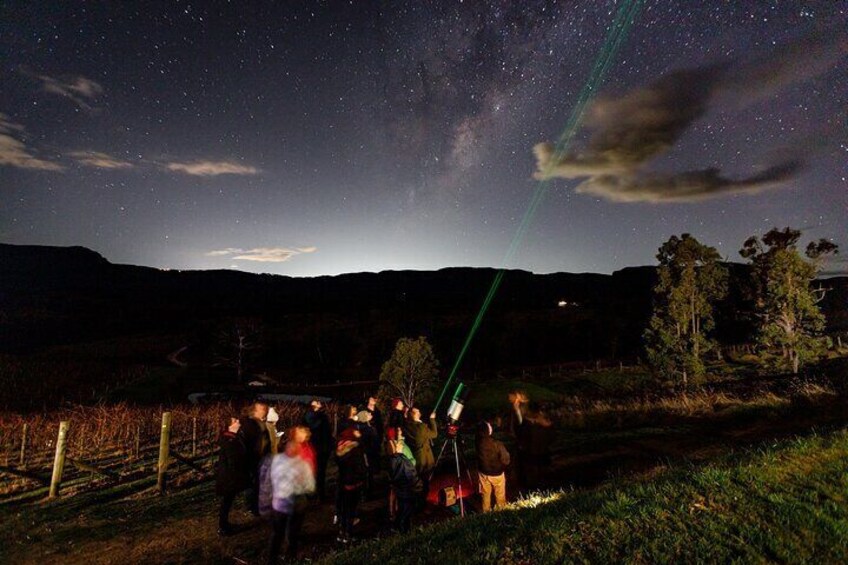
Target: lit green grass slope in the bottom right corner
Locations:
point(785, 503)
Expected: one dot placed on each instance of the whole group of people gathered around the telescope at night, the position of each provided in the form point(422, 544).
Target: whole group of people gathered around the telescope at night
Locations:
point(281, 471)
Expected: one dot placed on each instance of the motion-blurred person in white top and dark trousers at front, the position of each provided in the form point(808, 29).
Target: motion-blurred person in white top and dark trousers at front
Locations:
point(291, 479)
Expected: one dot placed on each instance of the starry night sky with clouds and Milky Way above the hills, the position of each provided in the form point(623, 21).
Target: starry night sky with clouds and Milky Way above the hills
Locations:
point(313, 138)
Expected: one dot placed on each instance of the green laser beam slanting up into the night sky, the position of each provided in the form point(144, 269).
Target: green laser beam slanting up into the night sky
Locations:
point(623, 21)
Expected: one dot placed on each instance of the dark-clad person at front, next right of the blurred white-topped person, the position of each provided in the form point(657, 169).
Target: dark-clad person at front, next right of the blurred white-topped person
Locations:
point(350, 458)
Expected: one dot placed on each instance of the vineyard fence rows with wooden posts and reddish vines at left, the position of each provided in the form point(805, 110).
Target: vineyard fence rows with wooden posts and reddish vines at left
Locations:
point(89, 447)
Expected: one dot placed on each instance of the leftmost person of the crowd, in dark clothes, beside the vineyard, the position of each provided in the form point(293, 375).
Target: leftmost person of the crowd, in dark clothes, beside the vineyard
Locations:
point(231, 475)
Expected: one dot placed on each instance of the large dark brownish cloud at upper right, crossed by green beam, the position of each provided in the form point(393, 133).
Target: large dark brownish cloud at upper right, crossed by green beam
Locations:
point(628, 131)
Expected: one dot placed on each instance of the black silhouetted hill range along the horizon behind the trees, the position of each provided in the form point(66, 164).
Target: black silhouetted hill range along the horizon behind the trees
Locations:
point(346, 323)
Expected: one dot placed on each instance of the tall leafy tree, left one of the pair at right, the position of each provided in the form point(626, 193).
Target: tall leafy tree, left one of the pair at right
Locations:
point(691, 279)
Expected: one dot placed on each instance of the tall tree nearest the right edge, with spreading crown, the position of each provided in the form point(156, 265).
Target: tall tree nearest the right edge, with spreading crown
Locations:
point(786, 303)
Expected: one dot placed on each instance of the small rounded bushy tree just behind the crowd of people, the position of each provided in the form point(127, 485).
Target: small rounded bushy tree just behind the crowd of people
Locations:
point(411, 369)
